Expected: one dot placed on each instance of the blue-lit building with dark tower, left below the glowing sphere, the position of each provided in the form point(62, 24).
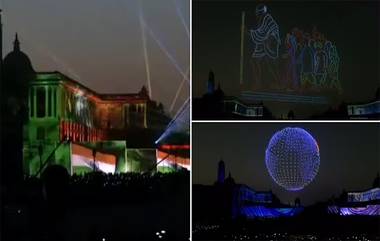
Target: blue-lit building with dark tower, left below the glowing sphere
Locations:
point(229, 200)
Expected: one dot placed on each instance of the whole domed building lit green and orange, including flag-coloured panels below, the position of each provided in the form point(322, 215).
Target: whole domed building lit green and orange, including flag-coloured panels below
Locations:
point(53, 119)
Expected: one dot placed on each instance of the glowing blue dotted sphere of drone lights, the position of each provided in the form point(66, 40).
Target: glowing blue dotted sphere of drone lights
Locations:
point(292, 158)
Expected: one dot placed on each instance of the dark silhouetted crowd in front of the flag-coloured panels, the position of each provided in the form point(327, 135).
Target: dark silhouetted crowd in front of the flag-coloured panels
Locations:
point(98, 206)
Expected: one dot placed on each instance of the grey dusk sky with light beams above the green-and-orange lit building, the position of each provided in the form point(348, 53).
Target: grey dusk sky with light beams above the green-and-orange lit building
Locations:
point(99, 43)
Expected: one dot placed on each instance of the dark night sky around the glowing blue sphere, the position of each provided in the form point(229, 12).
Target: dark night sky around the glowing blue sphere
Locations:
point(349, 153)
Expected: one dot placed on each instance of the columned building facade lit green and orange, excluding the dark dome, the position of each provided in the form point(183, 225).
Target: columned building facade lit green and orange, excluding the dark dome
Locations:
point(61, 108)
